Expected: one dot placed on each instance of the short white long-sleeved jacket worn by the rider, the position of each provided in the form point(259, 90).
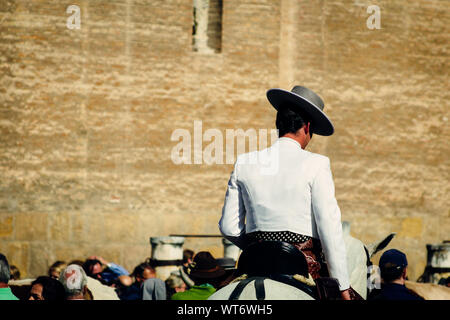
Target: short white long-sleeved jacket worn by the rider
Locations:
point(298, 196)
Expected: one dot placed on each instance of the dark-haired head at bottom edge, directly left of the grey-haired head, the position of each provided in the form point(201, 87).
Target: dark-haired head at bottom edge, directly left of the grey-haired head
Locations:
point(47, 288)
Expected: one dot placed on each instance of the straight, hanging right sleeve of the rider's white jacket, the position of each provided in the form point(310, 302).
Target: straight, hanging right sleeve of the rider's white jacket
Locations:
point(329, 227)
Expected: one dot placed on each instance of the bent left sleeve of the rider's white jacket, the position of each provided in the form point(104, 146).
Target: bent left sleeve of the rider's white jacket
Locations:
point(232, 222)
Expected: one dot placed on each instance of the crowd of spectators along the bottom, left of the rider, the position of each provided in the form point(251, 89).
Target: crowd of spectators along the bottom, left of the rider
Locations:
point(199, 277)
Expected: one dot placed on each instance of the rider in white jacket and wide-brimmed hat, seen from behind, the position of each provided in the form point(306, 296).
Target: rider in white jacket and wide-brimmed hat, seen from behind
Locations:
point(295, 204)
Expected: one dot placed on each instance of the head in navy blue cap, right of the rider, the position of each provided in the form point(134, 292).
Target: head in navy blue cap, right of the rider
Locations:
point(393, 265)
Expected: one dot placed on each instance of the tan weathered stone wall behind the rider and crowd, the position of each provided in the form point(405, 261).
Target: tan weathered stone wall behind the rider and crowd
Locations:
point(87, 116)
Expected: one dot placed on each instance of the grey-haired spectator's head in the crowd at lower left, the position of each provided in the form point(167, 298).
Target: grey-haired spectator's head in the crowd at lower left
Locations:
point(74, 280)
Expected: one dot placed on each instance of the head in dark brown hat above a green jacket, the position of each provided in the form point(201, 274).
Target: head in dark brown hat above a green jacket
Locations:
point(206, 269)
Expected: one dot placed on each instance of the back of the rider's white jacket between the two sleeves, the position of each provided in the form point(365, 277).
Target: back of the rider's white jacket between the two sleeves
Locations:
point(279, 200)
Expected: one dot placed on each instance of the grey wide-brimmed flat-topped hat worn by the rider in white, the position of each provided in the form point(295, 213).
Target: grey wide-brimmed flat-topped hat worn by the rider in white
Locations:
point(305, 101)
